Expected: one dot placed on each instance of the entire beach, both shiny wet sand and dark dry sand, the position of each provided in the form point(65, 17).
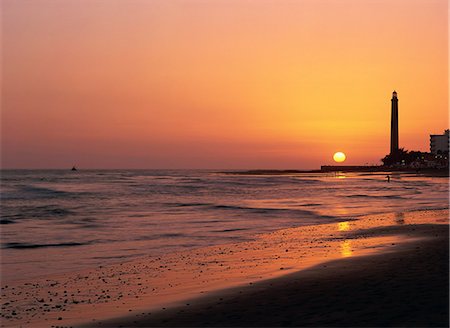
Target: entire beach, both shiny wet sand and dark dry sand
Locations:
point(386, 269)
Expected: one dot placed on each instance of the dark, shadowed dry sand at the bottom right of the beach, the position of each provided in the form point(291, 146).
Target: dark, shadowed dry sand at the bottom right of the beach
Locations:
point(406, 287)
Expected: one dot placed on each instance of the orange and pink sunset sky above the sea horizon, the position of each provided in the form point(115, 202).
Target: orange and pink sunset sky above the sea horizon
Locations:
point(220, 84)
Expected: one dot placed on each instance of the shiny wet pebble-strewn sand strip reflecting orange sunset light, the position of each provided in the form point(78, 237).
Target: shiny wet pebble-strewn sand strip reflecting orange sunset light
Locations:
point(150, 283)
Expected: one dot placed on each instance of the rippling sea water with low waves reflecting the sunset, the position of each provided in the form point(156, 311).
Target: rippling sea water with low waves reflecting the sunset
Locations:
point(55, 221)
